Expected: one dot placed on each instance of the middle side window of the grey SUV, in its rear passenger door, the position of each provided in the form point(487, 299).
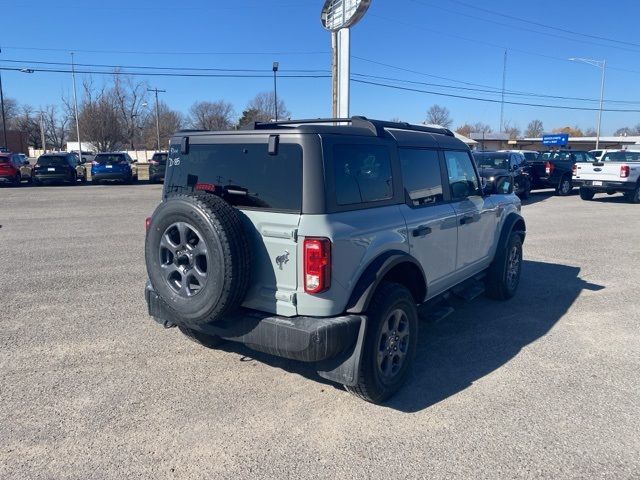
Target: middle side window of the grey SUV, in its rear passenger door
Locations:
point(421, 176)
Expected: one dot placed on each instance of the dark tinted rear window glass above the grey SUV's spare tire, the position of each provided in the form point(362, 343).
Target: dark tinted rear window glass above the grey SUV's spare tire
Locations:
point(245, 175)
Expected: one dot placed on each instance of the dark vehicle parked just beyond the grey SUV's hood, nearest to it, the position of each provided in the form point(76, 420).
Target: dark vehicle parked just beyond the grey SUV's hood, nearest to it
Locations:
point(494, 165)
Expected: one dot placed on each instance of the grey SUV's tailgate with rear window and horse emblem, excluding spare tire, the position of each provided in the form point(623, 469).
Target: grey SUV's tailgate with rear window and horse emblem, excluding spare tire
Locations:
point(267, 189)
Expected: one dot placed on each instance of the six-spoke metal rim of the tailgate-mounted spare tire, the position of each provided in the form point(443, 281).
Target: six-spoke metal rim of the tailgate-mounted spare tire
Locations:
point(184, 259)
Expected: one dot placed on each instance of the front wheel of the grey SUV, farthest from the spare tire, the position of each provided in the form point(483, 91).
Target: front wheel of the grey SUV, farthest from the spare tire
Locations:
point(505, 271)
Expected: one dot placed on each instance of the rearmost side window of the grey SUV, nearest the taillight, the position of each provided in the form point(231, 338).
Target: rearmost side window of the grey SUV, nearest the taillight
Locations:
point(362, 174)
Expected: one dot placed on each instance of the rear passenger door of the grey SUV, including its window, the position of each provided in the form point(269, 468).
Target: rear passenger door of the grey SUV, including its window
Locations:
point(431, 222)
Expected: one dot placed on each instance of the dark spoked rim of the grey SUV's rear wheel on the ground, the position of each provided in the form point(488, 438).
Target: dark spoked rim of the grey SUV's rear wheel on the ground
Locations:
point(393, 344)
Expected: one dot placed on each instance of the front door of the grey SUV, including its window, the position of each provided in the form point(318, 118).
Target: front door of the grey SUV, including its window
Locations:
point(476, 215)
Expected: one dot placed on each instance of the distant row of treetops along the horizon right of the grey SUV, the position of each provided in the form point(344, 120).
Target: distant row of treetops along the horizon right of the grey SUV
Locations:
point(439, 115)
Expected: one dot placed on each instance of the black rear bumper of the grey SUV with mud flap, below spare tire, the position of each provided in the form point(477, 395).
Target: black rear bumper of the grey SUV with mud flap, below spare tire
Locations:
point(334, 344)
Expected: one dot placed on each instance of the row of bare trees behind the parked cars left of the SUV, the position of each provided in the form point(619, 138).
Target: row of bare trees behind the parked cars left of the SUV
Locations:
point(121, 115)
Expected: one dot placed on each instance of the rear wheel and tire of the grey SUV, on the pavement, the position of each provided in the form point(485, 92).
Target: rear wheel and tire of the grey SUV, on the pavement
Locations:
point(392, 310)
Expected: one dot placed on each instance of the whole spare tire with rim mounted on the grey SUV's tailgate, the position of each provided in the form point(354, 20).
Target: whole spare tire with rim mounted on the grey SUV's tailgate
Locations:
point(197, 257)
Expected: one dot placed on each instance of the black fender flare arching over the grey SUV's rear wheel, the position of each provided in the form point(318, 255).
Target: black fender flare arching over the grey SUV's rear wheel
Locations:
point(373, 275)
